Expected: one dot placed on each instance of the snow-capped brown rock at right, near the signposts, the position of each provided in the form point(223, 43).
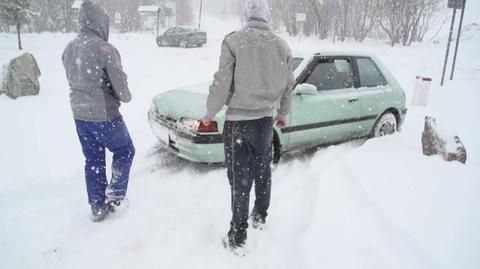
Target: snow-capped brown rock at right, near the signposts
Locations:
point(436, 141)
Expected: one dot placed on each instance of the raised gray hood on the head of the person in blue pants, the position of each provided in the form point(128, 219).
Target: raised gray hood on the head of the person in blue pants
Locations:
point(93, 18)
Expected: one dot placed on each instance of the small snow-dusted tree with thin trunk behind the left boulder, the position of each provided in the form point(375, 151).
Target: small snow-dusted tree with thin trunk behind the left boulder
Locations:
point(15, 12)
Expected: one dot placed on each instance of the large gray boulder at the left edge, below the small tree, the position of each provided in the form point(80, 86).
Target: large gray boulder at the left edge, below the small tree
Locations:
point(20, 77)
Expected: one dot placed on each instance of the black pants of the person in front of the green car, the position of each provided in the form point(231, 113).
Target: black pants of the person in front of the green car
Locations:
point(248, 155)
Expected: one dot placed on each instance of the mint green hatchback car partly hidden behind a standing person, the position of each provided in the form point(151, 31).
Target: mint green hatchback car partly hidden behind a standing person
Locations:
point(338, 97)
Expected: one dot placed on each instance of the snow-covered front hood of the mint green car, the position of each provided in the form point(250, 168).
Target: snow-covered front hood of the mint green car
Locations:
point(188, 102)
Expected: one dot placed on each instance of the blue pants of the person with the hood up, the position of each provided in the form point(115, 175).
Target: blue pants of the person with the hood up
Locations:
point(94, 138)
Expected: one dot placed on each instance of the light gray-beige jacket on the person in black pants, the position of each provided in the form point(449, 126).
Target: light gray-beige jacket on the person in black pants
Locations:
point(255, 75)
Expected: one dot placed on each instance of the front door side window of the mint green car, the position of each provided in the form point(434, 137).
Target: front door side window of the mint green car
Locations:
point(332, 74)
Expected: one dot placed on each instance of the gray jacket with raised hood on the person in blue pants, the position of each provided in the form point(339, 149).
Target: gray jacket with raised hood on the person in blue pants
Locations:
point(94, 70)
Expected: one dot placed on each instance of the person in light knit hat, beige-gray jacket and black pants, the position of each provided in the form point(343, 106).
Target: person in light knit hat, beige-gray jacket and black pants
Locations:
point(254, 81)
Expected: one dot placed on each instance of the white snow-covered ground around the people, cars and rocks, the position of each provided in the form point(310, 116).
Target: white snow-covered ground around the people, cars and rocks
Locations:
point(374, 204)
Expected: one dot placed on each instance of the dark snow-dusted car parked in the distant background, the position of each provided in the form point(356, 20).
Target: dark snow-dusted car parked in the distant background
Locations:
point(182, 37)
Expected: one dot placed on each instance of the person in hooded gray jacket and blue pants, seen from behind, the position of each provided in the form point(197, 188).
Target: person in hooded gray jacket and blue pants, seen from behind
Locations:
point(97, 87)
